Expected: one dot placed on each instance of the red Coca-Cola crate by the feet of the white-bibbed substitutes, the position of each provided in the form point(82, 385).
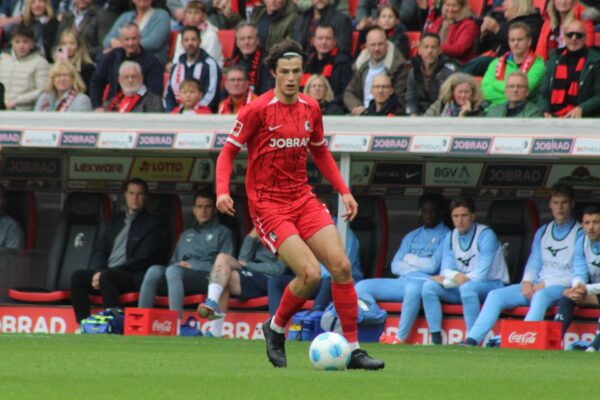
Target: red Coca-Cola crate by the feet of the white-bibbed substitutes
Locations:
point(538, 335)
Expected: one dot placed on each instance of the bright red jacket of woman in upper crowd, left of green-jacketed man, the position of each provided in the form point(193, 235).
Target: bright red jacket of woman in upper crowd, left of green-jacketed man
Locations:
point(460, 40)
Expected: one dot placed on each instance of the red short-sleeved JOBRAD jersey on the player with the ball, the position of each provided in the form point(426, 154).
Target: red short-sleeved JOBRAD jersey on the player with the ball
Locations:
point(277, 137)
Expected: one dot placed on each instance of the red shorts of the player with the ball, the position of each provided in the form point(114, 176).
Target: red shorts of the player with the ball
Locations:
point(273, 228)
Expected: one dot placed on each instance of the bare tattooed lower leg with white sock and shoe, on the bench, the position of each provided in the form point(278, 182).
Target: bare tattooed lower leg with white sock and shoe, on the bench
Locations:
point(218, 281)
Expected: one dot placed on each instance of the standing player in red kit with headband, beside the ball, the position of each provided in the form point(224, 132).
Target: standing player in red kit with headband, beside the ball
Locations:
point(278, 129)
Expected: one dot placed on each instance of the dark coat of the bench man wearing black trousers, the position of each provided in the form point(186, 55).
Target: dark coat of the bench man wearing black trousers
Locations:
point(143, 243)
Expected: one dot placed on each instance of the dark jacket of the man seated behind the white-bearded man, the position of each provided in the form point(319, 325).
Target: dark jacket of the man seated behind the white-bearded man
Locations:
point(107, 73)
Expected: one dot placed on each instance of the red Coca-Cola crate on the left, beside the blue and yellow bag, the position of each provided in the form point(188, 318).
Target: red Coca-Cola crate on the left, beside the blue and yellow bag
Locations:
point(150, 321)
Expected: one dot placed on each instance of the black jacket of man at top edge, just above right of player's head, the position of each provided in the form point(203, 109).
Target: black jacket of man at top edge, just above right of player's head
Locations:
point(341, 23)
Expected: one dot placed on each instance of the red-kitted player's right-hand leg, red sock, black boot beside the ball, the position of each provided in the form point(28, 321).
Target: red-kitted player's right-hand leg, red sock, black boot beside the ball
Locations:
point(329, 250)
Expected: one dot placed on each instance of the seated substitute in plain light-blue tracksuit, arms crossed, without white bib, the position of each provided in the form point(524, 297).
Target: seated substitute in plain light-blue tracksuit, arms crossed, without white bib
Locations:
point(417, 260)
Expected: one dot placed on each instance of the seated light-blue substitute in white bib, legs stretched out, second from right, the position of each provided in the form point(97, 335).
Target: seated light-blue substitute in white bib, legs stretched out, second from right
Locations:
point(549, 270)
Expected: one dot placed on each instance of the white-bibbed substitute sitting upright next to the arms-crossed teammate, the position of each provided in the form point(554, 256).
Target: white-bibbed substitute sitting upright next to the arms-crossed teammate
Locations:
point(472, 266)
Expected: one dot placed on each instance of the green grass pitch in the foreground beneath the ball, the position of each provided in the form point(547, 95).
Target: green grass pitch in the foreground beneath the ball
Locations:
point(116, 367)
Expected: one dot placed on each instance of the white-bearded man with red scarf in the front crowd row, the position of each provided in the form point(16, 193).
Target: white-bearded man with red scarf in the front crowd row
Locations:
point(133, 96)
